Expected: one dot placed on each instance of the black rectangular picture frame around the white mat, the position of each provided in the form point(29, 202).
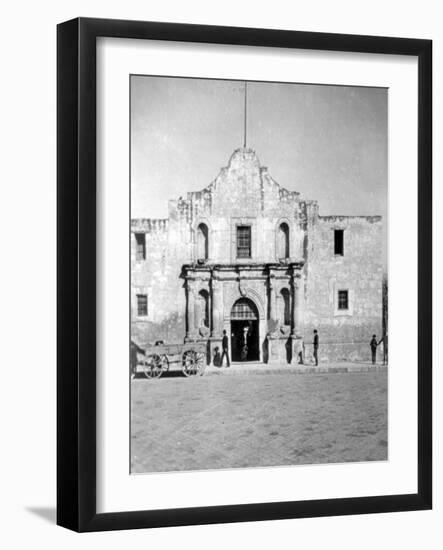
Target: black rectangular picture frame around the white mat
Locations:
point(76, 274)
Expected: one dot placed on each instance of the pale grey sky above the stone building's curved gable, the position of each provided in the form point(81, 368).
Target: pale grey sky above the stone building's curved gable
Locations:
point(327, 142)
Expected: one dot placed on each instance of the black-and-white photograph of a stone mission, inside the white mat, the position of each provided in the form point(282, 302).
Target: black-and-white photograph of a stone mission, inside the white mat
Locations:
point(259, 274)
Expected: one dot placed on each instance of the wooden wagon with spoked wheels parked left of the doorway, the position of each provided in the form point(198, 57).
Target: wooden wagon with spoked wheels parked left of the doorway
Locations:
point(191, 357)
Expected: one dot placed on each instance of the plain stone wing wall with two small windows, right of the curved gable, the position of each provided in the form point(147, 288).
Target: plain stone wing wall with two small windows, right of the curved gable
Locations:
point(344, 335)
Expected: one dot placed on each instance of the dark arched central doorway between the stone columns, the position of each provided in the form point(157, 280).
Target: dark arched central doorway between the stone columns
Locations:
point(244, 331)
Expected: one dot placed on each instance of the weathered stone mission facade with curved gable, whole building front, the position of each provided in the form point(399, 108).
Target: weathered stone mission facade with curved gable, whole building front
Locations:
point(247, 256)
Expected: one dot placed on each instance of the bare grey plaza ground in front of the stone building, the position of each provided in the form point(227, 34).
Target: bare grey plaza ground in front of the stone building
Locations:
point(240, 421)
